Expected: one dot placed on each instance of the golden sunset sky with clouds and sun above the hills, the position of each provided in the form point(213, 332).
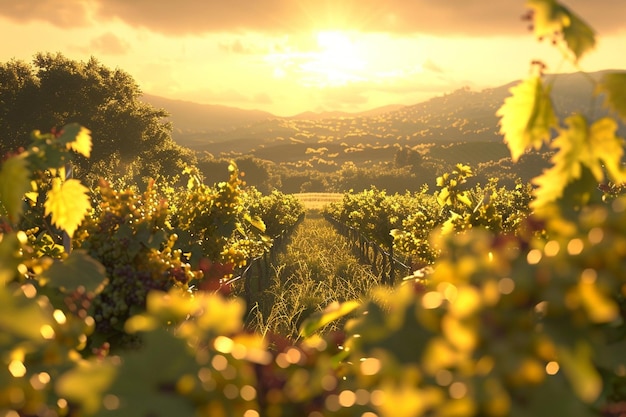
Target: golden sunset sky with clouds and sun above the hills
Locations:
point(291, 56)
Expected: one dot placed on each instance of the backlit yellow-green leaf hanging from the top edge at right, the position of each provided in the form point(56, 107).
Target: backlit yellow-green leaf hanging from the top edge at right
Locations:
point(551, 17)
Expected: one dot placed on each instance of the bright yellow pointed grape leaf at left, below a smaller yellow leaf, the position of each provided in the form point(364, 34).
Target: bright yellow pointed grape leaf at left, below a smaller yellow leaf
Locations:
point(68, 204)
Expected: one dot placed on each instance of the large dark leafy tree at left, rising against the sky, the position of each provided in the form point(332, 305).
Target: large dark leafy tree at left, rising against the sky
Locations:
point(55, 91)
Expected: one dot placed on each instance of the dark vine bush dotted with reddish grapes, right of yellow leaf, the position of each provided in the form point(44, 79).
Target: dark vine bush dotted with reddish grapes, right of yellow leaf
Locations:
point(129, 234)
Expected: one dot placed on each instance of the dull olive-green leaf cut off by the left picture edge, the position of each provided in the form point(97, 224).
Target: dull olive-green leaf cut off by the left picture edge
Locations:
point(14, 184)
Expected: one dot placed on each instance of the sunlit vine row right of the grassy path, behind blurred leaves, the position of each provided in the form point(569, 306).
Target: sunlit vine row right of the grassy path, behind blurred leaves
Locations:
point(402, 224)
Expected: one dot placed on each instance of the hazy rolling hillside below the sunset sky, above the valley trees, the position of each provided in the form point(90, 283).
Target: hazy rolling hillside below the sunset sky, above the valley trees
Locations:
point(457, 127)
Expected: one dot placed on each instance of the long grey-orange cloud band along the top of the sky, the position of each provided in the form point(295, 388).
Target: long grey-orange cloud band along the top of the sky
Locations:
point(185, 17)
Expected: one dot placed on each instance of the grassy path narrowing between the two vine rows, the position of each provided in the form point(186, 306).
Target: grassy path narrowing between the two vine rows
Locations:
point(316, 269)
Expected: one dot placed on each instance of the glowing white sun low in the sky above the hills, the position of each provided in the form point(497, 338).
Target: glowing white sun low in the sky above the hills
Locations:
point(337, 60)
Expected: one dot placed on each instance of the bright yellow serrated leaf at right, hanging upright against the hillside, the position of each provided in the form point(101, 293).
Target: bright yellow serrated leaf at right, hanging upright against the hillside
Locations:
point(526, 117)
